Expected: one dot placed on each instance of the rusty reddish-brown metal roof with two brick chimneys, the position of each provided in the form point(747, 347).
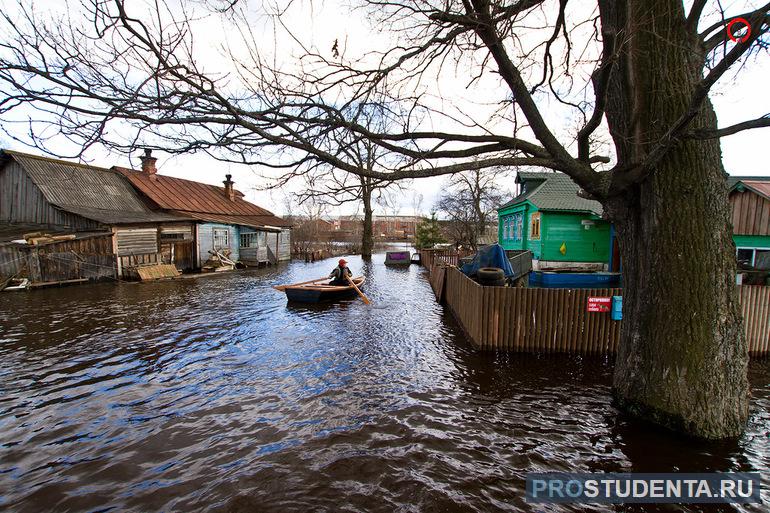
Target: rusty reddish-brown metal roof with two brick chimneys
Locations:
point(197, 199)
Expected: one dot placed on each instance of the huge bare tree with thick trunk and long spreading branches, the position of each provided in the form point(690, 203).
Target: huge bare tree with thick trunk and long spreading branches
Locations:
point(637, 70)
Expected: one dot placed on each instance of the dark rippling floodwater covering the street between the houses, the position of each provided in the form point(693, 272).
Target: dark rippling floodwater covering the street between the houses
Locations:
point(214, 394)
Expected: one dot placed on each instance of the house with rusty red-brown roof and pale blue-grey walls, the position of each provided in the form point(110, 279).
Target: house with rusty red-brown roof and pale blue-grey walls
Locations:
point(225, 220)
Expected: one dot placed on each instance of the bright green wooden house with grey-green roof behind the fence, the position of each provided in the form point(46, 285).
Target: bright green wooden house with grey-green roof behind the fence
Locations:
point(558, 226)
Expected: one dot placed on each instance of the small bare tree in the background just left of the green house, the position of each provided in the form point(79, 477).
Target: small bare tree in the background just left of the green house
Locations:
point(470, 199)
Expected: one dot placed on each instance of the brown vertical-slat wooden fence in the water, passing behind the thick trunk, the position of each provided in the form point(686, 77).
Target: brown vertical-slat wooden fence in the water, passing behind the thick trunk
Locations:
point(556, 320)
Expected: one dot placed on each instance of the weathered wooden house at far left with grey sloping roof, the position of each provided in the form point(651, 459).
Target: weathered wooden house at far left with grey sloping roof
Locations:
point(55, 196)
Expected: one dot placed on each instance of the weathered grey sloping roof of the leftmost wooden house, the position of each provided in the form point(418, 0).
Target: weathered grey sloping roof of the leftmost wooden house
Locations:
point(92, 192)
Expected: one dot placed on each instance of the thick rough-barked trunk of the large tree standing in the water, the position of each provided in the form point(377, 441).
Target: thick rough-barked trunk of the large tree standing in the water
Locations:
point(682, 360)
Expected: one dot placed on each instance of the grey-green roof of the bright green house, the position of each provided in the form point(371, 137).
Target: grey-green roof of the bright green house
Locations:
point(553, 191)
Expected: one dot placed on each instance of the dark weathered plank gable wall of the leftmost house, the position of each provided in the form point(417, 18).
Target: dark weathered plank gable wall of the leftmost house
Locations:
point(21, 201)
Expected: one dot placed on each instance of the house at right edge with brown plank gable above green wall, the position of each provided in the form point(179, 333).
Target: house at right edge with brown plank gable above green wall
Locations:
point(750, 206)
